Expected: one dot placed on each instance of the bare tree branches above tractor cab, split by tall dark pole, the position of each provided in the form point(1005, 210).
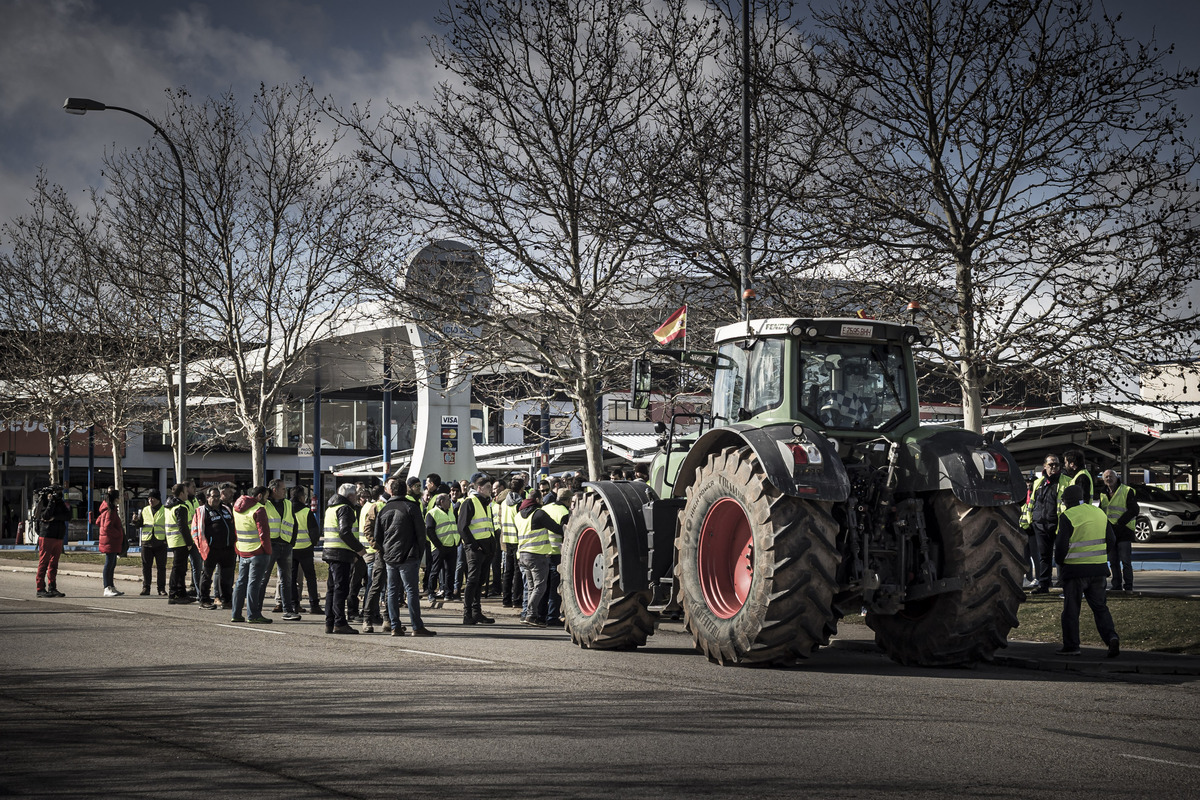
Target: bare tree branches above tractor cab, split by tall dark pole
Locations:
point(700, 221)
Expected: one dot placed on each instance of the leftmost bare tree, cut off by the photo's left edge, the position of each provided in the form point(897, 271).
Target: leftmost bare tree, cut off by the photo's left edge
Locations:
point(44, 312)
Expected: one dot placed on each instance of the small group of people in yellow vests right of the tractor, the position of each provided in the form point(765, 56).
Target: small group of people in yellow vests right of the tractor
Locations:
point(1085, 543)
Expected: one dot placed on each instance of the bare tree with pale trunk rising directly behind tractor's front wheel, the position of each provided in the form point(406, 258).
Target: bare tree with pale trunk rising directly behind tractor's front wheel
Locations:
point(533, 153)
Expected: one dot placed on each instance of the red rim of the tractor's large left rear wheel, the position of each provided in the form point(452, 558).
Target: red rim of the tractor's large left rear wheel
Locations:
point(725, 558)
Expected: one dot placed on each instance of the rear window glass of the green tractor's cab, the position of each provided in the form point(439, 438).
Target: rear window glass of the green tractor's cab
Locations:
point(854, 387)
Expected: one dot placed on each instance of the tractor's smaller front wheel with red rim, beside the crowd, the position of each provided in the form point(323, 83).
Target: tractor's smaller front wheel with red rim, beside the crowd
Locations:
point(597, 612)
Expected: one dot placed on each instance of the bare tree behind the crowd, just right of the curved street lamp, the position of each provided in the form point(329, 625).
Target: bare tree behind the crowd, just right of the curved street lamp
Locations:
point(281, 220)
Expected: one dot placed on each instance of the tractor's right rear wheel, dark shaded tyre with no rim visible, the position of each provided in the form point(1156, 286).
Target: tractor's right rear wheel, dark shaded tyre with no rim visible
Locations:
point(986, 550)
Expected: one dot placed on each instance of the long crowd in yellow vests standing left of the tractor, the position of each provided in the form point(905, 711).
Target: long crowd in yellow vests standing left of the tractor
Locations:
point(387, 548)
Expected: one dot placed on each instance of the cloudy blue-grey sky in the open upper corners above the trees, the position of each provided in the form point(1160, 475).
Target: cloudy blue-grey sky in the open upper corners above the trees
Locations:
point(128, 52)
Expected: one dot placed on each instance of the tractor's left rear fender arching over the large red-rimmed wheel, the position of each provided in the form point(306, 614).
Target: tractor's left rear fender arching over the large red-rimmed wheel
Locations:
point(826, 480)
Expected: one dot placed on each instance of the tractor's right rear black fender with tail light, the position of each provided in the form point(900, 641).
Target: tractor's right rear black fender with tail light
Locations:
point(953, 459)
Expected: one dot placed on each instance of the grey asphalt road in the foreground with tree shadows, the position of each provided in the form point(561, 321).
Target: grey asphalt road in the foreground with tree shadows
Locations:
point(130, 697)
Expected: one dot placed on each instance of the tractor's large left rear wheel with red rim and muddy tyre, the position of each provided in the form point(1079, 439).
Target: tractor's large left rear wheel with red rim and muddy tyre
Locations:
point(757, 568)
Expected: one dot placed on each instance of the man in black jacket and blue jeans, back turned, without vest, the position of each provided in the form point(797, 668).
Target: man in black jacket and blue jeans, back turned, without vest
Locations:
point(400, 537)
